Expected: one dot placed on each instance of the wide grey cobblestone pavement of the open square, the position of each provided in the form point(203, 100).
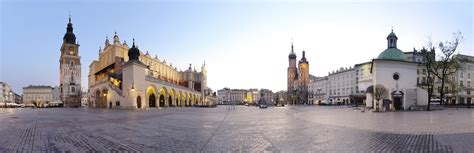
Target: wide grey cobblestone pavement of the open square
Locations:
point(242, 129)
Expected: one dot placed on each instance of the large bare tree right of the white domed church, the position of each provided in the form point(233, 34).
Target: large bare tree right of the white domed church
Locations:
point(446, 64)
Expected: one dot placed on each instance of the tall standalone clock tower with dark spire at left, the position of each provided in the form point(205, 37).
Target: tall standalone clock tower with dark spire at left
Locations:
point(70, 69)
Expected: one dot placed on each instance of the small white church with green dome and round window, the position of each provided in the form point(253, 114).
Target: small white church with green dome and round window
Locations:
point(395, 73)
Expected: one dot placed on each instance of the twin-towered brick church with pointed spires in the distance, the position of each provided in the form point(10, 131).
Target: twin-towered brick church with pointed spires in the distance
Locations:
point(298, 79)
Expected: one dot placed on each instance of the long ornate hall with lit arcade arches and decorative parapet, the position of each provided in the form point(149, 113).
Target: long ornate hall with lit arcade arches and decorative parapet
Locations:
point(124, 77)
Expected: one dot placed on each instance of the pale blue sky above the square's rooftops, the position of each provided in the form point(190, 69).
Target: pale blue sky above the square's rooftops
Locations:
point(245, 43)
